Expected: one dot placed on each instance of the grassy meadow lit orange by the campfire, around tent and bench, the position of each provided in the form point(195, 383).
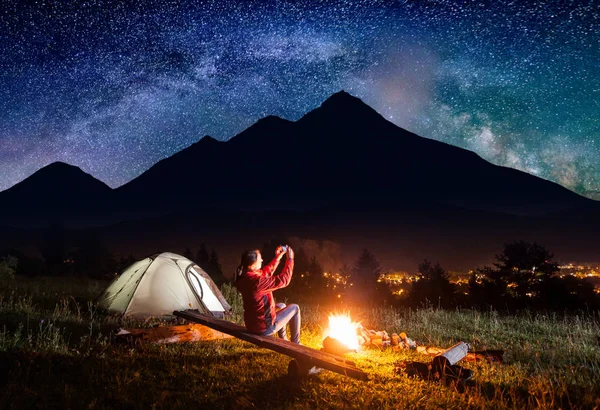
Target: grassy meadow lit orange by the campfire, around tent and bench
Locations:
point(58, 351)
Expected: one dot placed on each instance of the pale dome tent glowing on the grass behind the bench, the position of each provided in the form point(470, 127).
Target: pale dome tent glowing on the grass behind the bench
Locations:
point(158, 285)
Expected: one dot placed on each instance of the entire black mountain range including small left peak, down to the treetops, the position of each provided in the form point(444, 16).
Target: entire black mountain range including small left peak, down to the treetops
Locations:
point(341, 172)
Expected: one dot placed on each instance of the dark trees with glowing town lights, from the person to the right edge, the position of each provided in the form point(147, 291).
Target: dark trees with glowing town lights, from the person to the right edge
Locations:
point(523, 276)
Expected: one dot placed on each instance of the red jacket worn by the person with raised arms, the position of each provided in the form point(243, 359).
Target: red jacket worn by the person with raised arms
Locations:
point(256, 287)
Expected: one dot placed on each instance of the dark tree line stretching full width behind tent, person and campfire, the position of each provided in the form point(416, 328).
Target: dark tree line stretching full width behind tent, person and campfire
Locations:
point(523, 276)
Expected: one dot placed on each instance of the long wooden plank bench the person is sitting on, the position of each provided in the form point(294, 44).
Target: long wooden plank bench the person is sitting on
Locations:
point(308, 356)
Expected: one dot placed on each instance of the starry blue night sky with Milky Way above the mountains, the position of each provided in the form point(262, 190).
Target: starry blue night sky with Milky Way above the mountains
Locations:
point(113, 87)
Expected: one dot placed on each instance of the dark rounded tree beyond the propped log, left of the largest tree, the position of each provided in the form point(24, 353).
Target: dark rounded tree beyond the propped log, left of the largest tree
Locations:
point(432, 287)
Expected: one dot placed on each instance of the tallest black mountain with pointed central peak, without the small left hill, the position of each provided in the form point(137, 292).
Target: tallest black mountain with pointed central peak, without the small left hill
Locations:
point(342, 154)
